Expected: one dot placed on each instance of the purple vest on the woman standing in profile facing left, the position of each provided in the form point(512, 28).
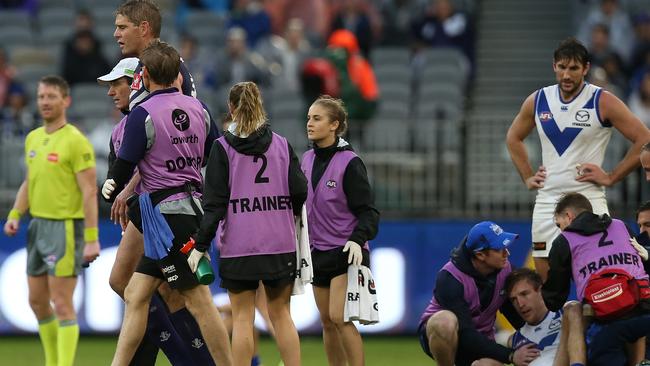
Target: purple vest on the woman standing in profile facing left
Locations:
point(328, 214)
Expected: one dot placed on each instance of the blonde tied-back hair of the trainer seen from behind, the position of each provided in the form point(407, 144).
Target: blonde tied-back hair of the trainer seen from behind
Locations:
point(248, 108)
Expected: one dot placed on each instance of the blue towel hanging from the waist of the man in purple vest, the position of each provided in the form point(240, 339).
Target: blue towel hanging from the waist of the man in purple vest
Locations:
point(158, 236)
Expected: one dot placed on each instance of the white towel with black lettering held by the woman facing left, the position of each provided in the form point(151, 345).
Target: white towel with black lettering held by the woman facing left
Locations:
point(361, 304)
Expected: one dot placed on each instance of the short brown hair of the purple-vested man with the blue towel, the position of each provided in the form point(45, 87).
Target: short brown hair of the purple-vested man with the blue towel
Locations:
point(162, 61)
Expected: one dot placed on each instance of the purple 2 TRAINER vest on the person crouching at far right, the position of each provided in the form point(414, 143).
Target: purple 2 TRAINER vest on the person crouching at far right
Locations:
point(609, 249)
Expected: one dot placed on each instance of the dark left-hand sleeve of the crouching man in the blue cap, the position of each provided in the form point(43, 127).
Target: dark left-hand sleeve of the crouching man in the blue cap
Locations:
point(450, 295)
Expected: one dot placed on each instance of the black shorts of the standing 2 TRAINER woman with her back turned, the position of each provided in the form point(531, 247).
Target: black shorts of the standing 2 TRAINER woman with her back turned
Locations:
point(244, 273)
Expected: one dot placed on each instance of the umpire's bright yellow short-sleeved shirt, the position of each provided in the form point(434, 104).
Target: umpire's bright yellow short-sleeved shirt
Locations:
point(52, 163)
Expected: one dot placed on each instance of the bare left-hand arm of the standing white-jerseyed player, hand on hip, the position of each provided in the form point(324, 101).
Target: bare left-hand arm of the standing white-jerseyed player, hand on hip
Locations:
point(521, 127)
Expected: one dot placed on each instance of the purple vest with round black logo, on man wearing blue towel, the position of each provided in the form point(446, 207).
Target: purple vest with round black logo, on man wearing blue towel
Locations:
point(179, 126)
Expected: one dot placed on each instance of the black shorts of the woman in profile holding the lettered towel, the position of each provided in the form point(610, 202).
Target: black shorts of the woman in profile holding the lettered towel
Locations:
point(332, 263)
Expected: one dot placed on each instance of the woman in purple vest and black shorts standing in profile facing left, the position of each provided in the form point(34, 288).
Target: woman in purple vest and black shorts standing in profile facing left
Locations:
point(342, 218)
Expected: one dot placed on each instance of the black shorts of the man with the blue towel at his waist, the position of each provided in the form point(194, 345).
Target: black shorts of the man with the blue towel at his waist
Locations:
point(173, 268)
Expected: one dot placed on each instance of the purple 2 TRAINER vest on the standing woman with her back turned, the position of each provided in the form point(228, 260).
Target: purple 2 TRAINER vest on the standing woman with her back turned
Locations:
point(259, 218)
